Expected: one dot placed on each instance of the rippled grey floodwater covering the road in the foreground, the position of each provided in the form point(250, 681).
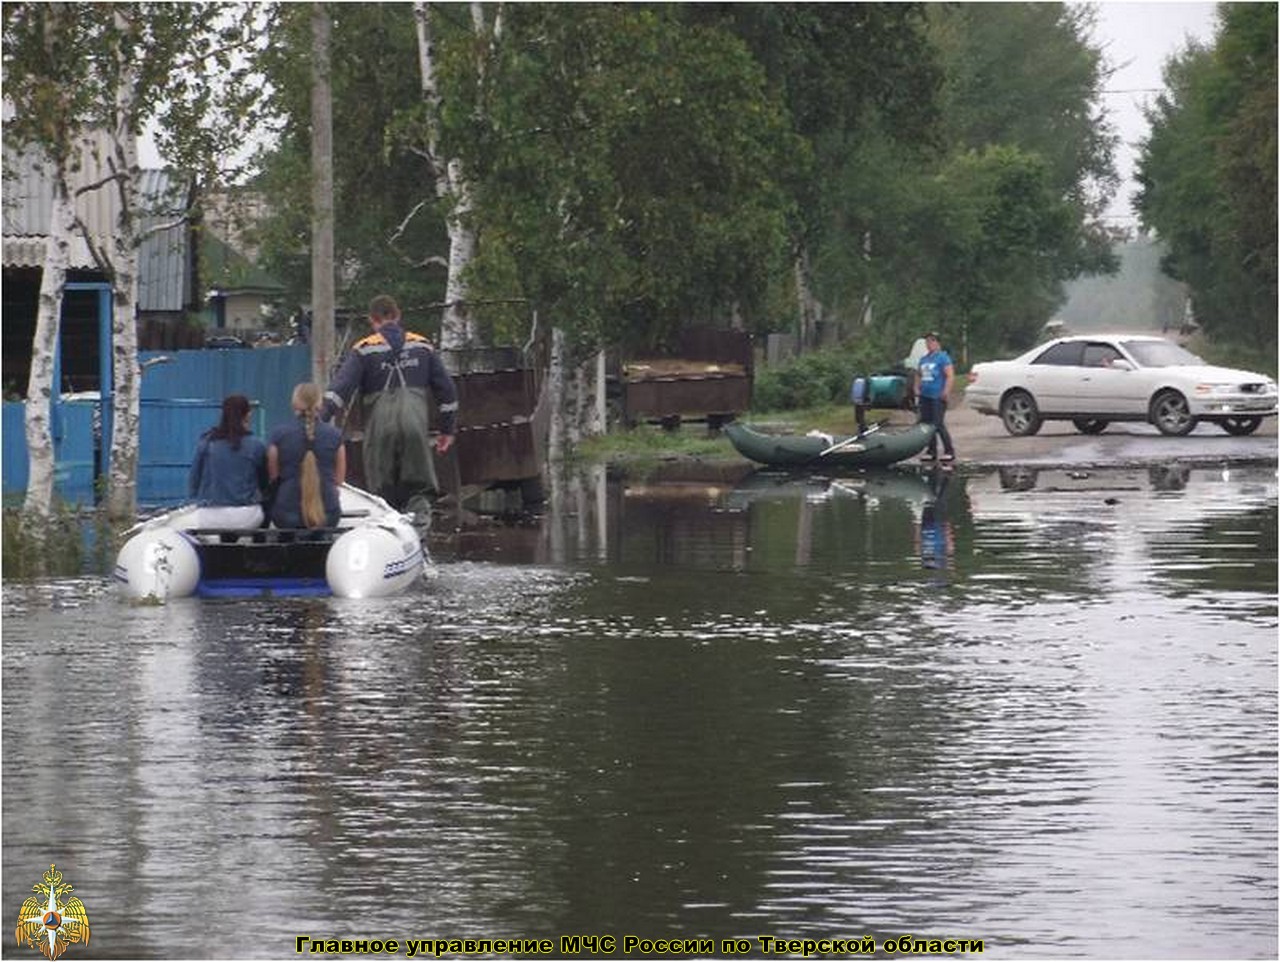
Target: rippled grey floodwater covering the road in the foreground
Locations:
point(1037, 711)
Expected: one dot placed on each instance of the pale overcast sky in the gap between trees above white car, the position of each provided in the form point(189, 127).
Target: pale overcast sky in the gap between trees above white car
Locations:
point(1139, 39)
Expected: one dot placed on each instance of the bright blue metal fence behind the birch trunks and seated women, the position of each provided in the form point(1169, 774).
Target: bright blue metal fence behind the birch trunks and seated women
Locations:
point(181, 400)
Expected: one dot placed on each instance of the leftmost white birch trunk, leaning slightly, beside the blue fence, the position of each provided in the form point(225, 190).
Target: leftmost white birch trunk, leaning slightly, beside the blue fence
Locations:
point(42, 390)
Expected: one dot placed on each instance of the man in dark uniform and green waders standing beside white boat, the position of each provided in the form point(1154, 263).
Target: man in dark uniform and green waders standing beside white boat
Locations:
point(392, 370)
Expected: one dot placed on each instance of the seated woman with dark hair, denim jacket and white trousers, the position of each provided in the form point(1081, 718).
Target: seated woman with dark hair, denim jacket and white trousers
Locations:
point(228, 473)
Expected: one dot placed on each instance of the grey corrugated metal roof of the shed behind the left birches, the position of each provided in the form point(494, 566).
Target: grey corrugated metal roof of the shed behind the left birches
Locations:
point(164, 259)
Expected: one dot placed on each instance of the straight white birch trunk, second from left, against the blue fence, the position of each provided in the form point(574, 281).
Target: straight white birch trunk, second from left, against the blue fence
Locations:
point(122, 498)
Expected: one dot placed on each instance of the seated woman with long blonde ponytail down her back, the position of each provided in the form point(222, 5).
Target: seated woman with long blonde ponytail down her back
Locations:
point(307, 456)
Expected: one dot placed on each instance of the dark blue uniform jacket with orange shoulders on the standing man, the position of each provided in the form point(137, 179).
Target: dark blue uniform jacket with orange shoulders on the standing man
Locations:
point(372, 361)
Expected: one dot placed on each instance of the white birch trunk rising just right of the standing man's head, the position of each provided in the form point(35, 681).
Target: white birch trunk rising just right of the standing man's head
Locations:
point(458, 328)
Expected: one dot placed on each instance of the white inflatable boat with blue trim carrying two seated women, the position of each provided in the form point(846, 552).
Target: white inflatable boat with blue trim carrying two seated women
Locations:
point(374, 552)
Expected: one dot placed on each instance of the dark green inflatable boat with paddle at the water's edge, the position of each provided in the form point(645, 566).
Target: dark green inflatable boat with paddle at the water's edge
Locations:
point(819, 452)
